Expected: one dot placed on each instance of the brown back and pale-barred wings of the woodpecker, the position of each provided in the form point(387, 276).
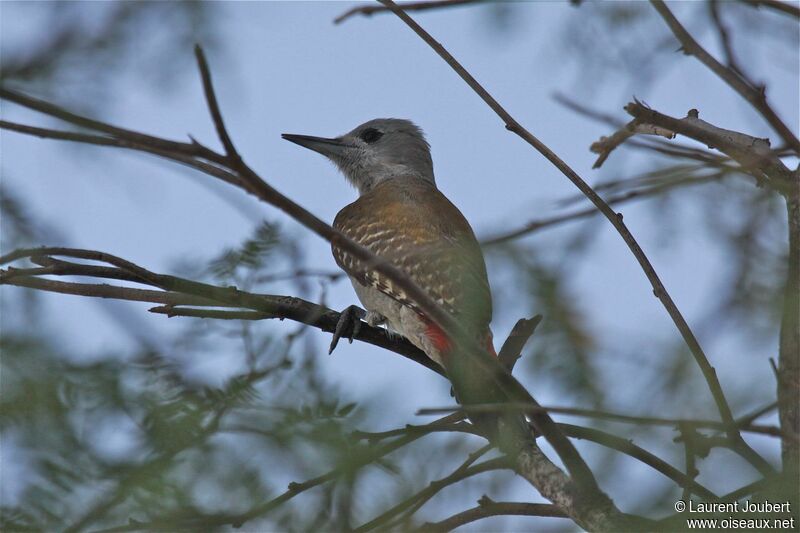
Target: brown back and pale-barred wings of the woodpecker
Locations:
point(415, 227)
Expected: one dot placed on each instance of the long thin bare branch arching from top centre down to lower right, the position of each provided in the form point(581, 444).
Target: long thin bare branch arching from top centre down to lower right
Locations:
point(616, 220)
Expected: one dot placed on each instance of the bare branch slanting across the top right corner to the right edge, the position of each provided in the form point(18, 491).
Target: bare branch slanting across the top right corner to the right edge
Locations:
point(755, 96)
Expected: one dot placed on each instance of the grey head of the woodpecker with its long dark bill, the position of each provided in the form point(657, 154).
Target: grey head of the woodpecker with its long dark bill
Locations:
point(375, 151)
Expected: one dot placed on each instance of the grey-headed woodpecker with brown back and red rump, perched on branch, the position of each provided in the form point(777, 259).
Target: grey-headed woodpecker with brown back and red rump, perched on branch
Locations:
point(401, 216)
